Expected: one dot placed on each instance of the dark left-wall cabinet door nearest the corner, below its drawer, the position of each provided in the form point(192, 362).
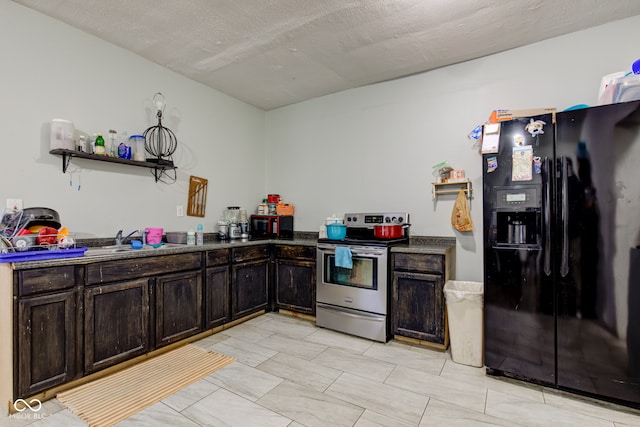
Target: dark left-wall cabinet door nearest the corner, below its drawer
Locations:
point(249, 287)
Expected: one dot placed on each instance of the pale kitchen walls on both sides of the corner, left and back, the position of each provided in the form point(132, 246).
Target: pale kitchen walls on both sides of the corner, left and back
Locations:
point(368, 149)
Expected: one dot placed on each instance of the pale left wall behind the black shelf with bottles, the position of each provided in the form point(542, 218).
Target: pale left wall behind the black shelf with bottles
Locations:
point(50, 70)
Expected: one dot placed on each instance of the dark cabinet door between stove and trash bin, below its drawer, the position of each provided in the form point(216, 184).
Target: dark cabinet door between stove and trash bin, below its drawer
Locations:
point(418, 306)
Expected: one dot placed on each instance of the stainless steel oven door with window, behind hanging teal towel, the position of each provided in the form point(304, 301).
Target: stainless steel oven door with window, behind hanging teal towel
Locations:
point(362, 287)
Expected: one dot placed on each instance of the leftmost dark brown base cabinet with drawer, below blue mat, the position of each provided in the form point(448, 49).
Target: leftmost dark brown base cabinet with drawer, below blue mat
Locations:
point(46, 335)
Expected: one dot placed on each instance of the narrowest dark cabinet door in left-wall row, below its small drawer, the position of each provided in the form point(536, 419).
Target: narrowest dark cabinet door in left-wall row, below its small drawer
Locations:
point(216, 296)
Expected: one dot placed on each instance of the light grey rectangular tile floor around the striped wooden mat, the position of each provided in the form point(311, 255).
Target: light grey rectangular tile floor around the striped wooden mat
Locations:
point(291, 373)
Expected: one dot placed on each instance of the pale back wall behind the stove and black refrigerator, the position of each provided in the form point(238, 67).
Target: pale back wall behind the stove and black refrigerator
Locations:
point(372, 148)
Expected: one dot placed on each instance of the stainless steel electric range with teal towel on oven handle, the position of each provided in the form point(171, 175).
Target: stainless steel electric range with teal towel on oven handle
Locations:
point(353, 292)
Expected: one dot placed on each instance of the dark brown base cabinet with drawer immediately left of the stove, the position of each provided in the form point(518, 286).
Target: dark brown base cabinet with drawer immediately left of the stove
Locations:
point(295, 277)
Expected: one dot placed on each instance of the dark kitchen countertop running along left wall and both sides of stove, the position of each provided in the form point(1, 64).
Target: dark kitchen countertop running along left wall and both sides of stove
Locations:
point(418, 245)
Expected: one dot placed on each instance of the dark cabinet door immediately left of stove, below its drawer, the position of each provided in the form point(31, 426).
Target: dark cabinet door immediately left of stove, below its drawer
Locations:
point(296, 285)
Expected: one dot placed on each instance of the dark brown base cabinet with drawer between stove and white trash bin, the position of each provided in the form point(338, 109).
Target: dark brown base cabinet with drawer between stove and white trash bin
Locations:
point(419, 310)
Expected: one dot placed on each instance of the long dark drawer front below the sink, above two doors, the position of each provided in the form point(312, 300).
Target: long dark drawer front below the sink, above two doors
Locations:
point(111, 271)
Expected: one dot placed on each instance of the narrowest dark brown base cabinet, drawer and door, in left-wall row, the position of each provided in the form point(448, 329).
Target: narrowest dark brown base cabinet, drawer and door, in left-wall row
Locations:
point(216, 288)
